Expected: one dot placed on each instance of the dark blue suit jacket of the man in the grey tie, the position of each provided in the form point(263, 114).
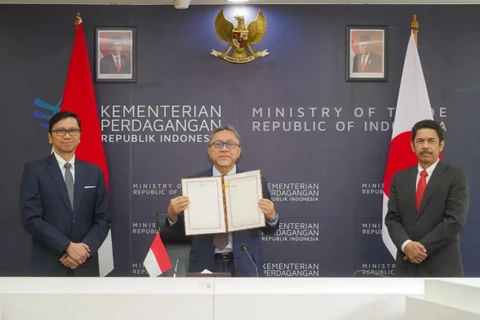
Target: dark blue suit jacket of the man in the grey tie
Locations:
point(48, 216)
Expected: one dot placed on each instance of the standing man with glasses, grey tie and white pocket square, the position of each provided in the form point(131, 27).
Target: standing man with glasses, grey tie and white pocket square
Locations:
point(64, 206)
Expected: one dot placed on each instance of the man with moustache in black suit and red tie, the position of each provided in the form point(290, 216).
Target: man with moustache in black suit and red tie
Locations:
point(428, 207)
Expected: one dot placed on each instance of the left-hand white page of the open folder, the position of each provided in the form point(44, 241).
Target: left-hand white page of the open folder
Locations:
point(205, 213)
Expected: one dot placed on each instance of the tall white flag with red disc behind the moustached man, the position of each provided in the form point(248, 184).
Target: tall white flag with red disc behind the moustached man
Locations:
point(413, 105)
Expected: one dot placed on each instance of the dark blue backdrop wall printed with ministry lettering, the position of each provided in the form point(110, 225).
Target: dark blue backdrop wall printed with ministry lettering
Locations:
point(327, 184)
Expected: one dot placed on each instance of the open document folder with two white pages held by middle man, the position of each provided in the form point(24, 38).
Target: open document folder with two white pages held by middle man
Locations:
point(223, 204)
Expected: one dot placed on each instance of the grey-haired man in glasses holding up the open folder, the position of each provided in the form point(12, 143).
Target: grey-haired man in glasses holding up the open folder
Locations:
point(224, 252)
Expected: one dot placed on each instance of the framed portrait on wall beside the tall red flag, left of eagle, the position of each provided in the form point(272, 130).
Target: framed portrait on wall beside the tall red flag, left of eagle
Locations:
point(115, 54)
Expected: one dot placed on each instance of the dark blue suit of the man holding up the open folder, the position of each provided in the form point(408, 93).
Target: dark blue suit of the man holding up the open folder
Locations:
point(202, 250)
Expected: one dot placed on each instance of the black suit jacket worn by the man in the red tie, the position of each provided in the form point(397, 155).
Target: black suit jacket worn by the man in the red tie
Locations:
point(436, 226)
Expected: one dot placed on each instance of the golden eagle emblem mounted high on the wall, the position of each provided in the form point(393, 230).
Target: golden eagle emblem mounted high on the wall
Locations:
point(240, 38)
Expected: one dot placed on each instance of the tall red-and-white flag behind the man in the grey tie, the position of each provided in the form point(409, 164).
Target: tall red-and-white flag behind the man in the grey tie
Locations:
point(79, 97)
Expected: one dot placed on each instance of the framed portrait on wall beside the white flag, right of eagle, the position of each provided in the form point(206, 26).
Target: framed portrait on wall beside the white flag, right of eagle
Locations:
point(367, 53)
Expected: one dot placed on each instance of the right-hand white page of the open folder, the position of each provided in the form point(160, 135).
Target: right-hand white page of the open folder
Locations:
point(243, 192)
